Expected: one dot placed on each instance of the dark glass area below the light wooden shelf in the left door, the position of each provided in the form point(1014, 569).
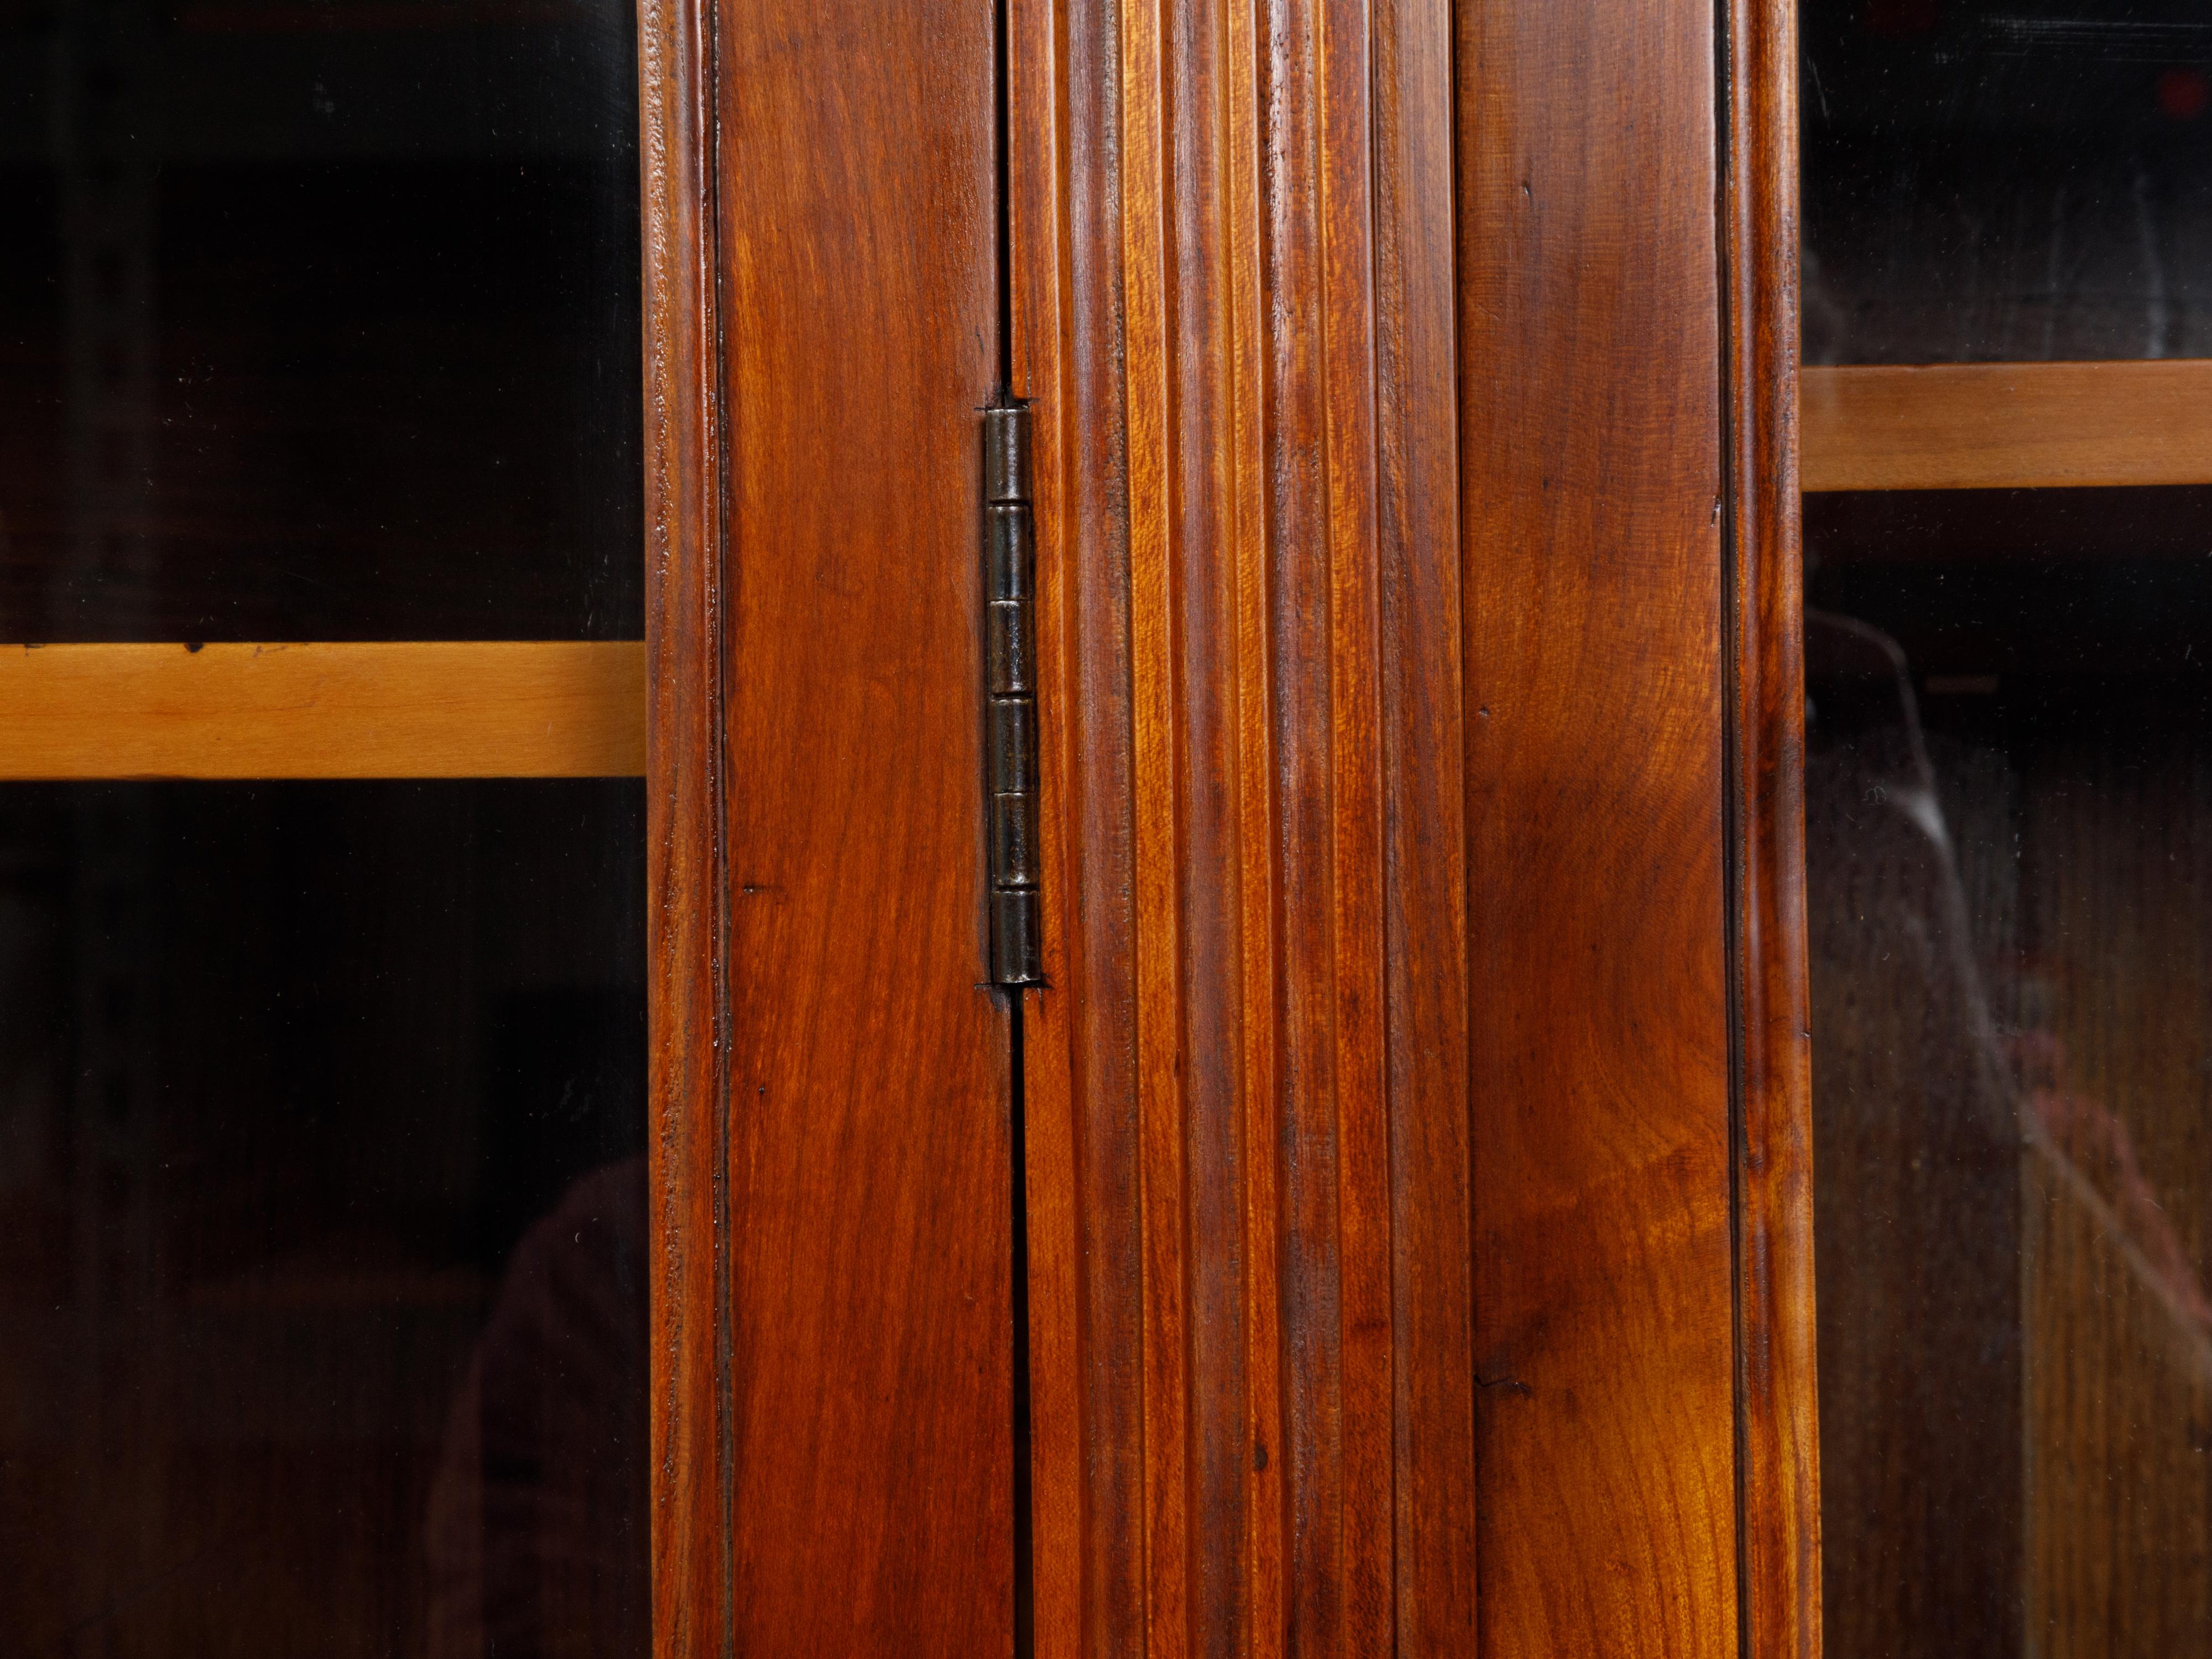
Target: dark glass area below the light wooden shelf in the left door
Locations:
point(322, 1220)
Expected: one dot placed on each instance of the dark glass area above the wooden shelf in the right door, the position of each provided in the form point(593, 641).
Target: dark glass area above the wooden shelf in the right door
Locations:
point(2005, 180)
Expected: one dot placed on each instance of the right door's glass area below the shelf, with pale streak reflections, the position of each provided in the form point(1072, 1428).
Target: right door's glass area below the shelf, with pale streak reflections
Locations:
point(2010, 839)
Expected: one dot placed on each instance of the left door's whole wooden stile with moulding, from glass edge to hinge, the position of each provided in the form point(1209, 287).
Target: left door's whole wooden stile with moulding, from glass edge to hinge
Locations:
point(833, 1406)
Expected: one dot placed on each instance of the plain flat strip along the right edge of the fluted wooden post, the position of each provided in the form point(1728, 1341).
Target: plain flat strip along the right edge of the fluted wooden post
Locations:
point(1426, 833)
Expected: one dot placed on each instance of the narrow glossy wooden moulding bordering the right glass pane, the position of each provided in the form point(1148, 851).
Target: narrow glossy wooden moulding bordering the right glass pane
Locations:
point(1780, 1452)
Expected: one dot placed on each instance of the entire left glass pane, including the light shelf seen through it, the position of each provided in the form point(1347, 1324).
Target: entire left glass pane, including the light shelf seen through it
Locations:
point(322, 835)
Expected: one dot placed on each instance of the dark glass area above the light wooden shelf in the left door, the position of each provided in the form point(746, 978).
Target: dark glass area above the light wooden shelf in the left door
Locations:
point(320, 320)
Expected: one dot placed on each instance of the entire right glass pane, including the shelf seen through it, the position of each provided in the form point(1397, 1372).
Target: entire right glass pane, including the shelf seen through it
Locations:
point(2010, 820)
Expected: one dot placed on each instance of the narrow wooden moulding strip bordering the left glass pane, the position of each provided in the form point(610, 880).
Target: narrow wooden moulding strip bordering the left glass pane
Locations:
point(687, 780)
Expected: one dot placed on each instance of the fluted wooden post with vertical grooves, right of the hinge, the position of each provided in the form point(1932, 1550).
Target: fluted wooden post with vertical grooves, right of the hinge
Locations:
point(1246, 1081)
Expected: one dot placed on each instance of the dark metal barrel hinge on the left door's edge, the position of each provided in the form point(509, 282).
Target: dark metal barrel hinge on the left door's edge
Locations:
point(1010, 572)
